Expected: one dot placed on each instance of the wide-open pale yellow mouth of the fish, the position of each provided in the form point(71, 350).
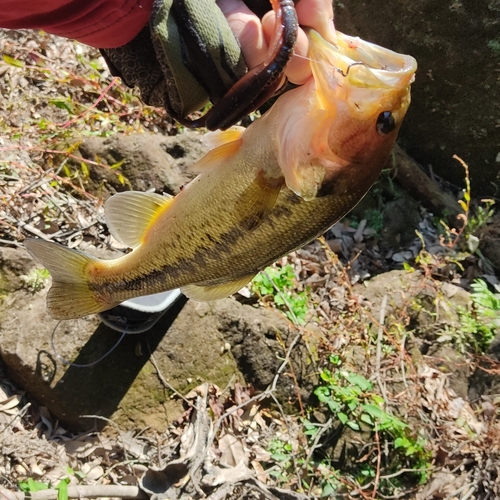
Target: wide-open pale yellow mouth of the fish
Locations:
point(364, 64)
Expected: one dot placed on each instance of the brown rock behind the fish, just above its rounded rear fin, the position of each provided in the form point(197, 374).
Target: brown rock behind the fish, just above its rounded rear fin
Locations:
point(150, 161)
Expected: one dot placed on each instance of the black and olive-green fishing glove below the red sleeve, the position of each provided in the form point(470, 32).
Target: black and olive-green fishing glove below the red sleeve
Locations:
point(186, 56)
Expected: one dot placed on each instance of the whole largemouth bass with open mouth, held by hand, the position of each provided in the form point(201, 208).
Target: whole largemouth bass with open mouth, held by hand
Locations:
point(262, 192)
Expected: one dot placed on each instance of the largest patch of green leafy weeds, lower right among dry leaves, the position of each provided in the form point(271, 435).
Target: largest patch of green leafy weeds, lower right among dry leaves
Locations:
point(350, 401)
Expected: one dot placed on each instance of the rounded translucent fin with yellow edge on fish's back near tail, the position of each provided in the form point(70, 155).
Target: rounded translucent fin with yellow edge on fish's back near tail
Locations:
point(129, 214)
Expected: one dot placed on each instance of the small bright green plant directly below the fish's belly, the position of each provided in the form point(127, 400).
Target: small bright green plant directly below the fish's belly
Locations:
point(280, 284)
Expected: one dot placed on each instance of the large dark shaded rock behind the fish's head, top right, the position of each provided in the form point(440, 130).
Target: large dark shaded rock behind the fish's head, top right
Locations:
point(455, 105)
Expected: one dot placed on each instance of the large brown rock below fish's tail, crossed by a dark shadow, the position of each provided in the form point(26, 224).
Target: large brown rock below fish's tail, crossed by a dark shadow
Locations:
point(189, 345)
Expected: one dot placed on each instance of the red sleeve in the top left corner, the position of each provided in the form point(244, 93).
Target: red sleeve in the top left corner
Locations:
point(100, 23)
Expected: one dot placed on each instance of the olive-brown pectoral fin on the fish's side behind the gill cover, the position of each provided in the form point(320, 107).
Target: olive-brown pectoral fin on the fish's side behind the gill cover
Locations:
point(258, 200)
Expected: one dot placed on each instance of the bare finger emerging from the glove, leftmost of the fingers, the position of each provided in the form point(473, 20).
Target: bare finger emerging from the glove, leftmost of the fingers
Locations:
point(247, 28)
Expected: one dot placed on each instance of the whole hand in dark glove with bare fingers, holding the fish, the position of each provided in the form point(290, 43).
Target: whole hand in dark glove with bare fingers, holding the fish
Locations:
point(168, 69)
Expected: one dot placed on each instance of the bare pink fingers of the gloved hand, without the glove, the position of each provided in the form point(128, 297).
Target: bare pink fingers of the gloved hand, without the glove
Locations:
point(255, 35)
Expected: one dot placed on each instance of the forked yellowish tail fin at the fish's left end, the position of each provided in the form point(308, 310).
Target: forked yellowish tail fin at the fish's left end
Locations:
point(70, 295)
